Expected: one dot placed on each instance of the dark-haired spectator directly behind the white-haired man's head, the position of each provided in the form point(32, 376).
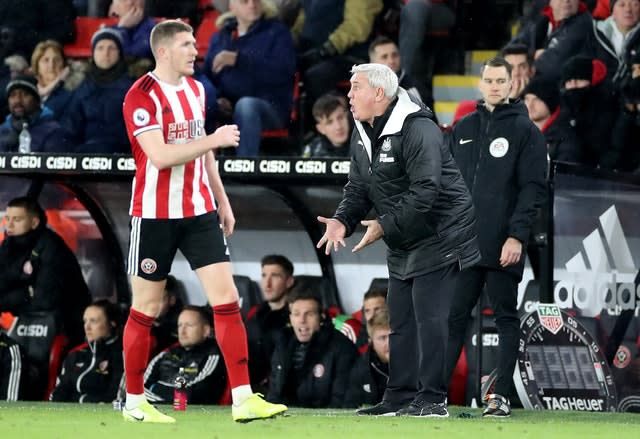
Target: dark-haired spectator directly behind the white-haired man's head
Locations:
point(383, 50)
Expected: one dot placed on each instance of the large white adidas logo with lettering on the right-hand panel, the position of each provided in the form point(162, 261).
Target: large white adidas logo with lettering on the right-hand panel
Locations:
point(600, 275)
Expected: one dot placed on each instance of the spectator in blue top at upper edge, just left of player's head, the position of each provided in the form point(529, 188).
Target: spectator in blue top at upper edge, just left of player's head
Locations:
point(134, 27)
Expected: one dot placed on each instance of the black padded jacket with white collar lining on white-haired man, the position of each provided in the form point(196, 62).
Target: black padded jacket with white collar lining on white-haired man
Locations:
point(418, 194)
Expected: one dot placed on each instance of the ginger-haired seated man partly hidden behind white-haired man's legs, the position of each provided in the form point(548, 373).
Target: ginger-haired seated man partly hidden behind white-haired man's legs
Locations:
point(370, 374)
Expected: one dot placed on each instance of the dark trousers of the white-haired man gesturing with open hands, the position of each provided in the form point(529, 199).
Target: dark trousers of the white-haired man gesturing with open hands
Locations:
point(418, 310)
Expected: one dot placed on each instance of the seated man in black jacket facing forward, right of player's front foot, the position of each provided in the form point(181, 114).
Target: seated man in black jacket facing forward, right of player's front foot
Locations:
point(311, 363)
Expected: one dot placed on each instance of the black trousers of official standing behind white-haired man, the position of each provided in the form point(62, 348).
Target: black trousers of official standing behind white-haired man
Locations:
point(502, 289)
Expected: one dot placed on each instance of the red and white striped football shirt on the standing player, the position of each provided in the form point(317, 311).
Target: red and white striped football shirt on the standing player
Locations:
point(180, 191)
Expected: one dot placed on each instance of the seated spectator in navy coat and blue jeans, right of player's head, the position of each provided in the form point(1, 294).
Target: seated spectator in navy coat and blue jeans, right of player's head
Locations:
point(251, 62)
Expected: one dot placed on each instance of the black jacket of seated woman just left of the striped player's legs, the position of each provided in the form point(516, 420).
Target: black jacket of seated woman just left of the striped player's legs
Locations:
point(91, 372)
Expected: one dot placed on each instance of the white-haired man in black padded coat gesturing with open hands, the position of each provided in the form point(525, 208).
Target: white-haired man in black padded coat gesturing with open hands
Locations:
point(401, 168)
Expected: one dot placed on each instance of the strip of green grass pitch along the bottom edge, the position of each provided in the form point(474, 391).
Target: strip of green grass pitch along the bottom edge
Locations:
point(92, 421)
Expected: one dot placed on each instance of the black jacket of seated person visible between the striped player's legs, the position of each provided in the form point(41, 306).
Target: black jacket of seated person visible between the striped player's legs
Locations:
point(203, 367)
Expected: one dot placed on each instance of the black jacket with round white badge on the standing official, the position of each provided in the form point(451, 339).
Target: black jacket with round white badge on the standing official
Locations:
point(503, 158)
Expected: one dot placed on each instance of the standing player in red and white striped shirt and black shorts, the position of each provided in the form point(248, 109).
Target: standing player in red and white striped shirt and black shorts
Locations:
point(179, 202)
